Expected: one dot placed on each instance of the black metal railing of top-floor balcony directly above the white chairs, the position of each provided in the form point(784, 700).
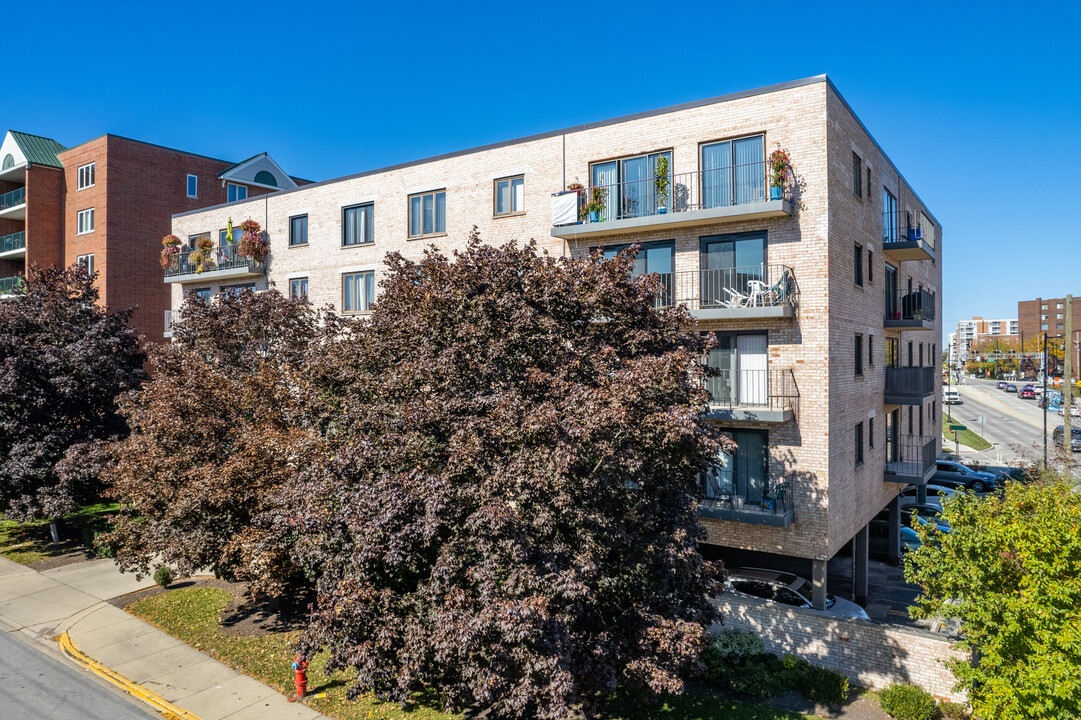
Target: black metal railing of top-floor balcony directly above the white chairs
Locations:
point(722, 188)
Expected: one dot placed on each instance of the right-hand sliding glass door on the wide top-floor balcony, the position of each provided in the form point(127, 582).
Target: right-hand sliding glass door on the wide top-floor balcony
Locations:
point(733, 172)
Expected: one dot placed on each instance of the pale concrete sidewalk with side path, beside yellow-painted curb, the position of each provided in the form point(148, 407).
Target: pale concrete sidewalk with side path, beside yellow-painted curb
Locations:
point(74, 599)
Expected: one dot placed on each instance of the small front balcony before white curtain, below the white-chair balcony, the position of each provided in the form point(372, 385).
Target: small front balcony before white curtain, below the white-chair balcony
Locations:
point(766, 396)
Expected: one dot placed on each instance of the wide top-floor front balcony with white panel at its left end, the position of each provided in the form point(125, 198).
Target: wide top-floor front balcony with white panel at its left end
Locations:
point(708, 197)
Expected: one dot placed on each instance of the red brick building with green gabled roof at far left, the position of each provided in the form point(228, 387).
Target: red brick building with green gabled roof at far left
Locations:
point(108, 204)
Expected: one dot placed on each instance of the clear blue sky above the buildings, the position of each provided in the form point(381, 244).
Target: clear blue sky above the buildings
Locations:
point(979, 104)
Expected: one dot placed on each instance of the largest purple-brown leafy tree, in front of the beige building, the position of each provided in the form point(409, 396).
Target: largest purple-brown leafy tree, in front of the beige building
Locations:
point(513, 521)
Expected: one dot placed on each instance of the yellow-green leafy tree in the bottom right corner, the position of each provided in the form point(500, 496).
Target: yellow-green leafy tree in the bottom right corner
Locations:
point(1011, 571)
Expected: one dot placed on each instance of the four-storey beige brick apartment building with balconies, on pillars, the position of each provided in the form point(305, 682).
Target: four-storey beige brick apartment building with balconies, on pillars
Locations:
point(824, 299)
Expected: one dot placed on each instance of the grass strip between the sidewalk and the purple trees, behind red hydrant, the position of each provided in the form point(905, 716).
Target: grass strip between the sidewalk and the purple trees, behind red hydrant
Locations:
point(192, 616)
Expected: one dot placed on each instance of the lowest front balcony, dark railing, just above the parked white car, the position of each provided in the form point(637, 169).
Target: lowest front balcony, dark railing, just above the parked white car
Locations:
point(748, 498)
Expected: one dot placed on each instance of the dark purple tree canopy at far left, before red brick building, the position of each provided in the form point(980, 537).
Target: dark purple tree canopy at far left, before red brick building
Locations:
point(64, 363)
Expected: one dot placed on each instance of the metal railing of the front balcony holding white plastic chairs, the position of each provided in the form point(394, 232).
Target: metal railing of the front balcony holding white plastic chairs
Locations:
point(757, 286)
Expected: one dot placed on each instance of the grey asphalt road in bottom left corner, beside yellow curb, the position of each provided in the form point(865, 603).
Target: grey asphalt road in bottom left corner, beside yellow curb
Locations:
point(37, 687)
